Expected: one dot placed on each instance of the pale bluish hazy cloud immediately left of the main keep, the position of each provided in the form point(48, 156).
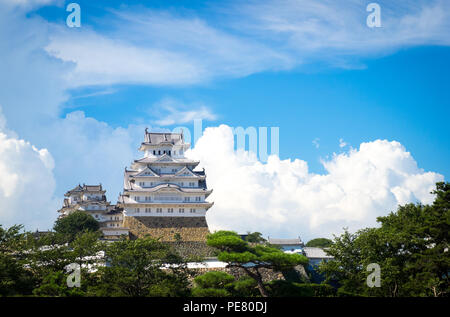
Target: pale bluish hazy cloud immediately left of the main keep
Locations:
point(91, 151)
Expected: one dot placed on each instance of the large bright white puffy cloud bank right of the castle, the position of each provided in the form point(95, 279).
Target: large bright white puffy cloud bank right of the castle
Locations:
point(282, 198)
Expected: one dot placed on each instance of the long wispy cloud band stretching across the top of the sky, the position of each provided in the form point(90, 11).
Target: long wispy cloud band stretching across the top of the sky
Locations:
point(154, 47)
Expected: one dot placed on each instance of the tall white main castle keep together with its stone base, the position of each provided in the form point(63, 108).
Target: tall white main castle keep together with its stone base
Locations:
point(163, 195)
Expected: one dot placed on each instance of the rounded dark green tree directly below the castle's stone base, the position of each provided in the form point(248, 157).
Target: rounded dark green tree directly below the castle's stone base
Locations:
point(143, 267)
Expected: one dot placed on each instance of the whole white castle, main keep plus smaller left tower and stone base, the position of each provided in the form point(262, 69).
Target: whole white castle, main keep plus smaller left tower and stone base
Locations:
point(163, 195)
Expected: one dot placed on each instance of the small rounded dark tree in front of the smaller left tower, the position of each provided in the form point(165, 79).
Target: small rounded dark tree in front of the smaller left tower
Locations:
point(75, 223)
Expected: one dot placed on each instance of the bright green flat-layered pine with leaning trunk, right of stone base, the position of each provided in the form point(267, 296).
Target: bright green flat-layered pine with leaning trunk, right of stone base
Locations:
point(239, 253)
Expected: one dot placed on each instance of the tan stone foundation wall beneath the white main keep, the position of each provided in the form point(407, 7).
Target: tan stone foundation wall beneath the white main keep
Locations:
point(165, 228)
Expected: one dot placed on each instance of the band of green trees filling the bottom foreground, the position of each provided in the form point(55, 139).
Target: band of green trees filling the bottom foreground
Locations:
point(411, 246)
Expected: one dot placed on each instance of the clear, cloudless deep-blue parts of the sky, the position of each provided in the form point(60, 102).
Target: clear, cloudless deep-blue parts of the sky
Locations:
point(403, 96)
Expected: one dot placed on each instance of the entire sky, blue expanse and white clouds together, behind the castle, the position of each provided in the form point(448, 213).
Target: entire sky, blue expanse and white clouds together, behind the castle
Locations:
point(335, 88)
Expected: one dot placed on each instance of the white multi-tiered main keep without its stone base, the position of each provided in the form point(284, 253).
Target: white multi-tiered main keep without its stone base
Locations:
point(163, 182)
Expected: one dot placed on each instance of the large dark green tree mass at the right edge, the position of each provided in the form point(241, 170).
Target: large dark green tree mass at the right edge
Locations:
point(411, 247)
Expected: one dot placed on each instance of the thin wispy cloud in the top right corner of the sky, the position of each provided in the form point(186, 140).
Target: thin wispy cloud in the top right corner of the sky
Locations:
point(329, 30)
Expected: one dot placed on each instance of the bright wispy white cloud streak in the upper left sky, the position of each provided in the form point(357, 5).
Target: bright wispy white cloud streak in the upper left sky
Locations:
point(158, 48)
